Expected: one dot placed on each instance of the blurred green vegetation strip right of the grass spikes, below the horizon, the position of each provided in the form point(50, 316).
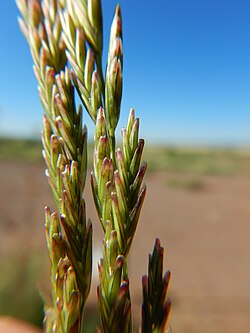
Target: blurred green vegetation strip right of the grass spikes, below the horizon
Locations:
point(199, 161)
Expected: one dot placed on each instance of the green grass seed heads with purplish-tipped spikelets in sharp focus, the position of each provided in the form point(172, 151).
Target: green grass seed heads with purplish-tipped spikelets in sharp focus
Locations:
point(65, 38)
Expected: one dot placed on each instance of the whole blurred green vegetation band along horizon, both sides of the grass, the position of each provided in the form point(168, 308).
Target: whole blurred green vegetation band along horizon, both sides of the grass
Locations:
point(195, 161)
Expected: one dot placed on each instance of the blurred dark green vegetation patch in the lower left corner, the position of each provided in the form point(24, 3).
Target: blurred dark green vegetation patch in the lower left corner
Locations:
point(21, 270)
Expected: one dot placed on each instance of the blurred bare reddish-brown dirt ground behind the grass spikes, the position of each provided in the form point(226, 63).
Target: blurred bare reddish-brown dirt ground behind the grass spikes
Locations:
point(205, 233)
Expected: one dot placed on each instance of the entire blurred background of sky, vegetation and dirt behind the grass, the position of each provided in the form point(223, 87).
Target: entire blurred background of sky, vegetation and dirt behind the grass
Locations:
point(187, 74)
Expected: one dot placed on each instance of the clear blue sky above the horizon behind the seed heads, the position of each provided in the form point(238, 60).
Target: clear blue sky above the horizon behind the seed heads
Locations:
point(186, 71)
